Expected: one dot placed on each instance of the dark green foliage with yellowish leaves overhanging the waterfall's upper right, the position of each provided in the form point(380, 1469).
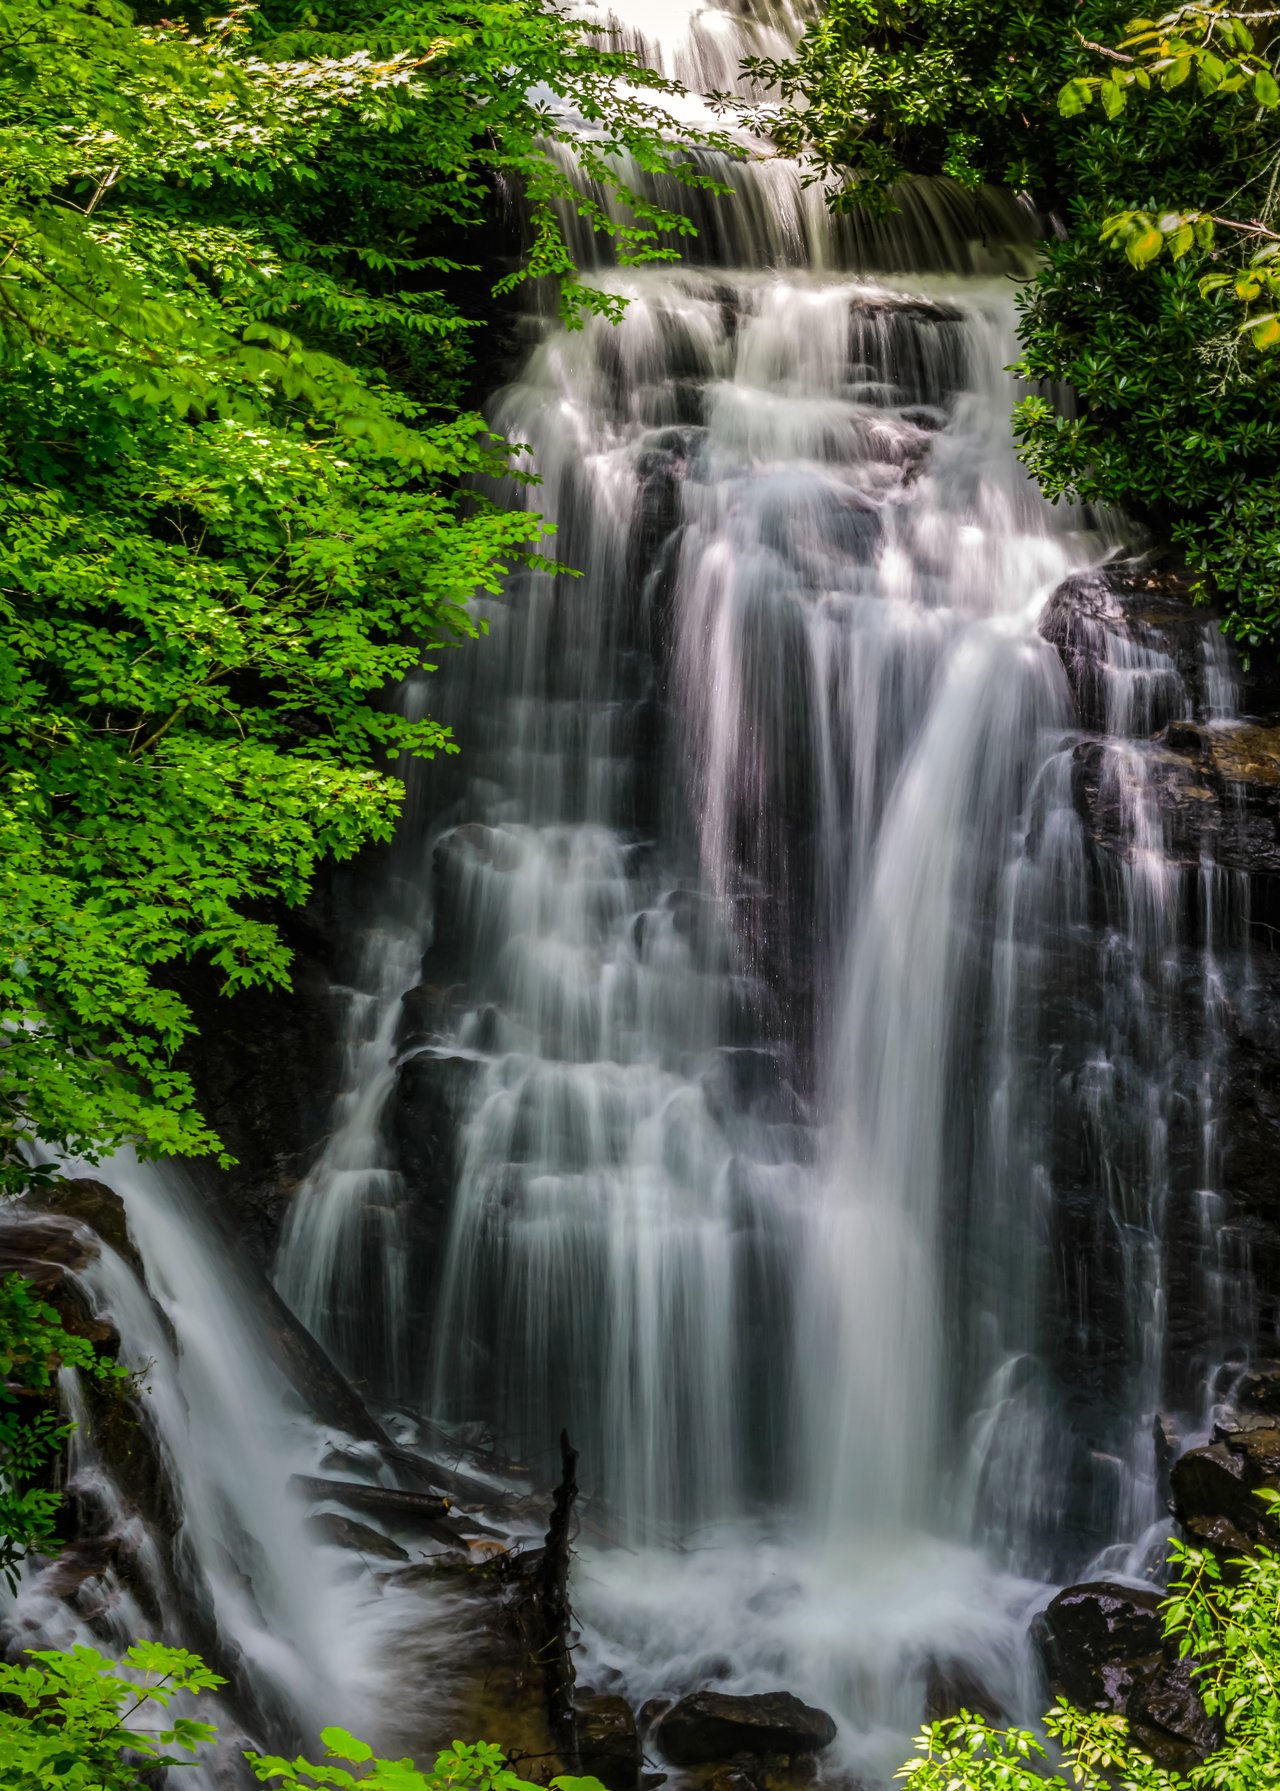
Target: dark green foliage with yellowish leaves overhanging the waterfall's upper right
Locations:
point(1157, 302)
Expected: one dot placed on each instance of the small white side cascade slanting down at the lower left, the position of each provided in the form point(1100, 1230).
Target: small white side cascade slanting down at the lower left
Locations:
point(307, 1634)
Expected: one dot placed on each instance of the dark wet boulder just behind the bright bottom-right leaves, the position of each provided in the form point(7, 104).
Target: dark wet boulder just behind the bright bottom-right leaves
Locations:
point(1104, 1649)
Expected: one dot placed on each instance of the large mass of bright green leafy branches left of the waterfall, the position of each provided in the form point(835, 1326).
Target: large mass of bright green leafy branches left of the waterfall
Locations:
point(234, 476)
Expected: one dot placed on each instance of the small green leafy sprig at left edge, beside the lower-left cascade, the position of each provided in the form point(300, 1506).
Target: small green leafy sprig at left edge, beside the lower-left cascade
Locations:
point(33, 1348)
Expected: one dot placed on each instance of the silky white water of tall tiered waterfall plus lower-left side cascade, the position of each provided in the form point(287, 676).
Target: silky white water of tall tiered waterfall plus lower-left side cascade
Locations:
point(821, 1117)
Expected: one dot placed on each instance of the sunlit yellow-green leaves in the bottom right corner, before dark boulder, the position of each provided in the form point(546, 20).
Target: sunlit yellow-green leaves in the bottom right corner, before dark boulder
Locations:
point(1227, 1624)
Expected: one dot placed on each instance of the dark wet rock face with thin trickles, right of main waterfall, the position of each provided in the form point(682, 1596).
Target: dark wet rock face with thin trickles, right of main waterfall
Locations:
point(1175, 843)
